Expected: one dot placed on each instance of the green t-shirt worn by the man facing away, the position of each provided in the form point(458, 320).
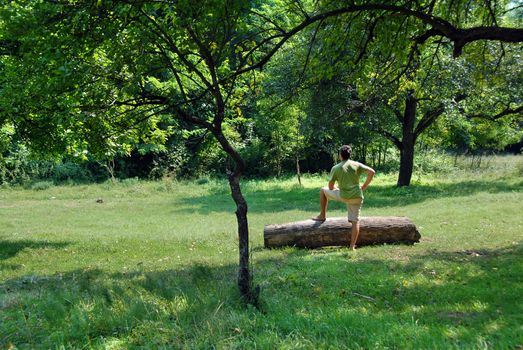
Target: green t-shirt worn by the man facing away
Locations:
point(347, 174)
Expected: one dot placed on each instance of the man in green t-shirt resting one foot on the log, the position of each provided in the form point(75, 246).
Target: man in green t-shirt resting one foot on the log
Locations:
point(347, 174)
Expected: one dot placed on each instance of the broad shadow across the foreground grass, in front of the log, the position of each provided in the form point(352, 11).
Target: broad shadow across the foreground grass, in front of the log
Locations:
point(325, 296)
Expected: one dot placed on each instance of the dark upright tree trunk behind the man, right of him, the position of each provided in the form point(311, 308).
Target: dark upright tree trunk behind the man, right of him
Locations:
point(408, 140)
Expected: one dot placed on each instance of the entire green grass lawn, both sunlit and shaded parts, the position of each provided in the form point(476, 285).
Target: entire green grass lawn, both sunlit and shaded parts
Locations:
point(154, 266)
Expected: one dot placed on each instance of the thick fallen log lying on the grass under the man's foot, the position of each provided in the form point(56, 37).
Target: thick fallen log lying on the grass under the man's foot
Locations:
point(337, 232)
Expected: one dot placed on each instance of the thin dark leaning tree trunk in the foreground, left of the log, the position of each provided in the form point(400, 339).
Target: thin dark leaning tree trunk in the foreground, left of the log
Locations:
point(244, 277)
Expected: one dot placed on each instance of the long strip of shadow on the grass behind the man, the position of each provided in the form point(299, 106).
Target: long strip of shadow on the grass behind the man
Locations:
point(276, 199)
